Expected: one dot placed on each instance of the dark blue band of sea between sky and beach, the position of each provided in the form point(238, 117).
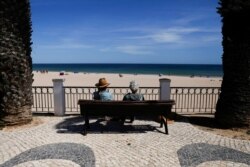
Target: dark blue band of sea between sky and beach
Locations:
point(160, 69)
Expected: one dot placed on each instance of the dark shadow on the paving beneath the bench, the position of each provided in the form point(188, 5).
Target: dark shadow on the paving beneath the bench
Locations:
point(99, 125)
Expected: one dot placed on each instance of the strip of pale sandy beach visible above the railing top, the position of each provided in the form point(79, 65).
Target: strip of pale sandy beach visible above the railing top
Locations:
point(116, 80)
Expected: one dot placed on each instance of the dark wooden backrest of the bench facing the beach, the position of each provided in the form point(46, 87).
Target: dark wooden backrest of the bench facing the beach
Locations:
point(96, 107)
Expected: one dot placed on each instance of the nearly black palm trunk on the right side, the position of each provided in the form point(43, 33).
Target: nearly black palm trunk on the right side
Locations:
point(233, 106)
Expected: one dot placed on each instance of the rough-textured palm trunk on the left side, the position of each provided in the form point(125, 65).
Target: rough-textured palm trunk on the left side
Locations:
point(15, 62)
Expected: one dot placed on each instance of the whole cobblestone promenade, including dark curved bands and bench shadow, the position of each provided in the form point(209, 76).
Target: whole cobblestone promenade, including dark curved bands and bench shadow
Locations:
point(58, 142)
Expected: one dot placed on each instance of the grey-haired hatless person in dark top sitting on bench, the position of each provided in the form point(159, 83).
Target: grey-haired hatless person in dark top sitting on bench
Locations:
point(133, 96)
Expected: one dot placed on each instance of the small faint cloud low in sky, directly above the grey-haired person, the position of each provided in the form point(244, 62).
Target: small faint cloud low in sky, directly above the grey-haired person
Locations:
point(134, 50)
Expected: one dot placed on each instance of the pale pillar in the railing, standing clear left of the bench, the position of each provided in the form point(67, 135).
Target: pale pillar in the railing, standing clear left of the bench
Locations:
point(59, 97)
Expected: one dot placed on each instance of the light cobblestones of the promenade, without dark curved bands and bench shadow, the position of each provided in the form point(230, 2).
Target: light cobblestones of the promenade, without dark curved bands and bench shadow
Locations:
point(147, 148)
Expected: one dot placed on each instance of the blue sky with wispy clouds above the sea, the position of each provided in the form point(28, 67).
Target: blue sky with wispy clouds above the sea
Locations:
point(126, 31)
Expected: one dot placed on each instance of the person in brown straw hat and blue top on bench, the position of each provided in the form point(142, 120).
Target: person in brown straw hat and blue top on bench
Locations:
point(102, 93)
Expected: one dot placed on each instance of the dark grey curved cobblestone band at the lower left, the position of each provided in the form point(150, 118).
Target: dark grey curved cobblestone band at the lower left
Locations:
point(78, 153)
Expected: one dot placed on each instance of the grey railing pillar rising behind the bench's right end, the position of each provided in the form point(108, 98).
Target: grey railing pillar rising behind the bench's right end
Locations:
point(165, 89)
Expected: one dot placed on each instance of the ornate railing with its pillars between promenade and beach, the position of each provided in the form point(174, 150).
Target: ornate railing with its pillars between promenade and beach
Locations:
point(188, 99)
